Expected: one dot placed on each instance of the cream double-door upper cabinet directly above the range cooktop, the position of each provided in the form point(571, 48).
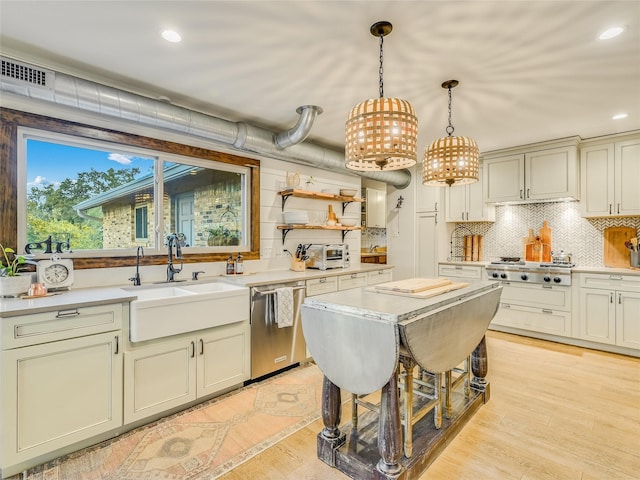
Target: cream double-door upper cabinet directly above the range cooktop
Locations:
point(542, 173)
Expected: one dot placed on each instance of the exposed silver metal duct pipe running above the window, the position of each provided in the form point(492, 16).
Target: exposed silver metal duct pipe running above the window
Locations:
point(96, 98)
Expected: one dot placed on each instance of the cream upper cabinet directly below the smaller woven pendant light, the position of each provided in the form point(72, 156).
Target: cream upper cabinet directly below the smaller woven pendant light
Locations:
point(468, 203)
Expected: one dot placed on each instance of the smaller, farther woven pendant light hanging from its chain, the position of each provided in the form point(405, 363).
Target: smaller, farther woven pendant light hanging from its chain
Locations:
point(450, 160)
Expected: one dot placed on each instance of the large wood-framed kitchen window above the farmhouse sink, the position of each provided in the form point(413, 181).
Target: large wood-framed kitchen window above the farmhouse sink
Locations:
point(97, 195)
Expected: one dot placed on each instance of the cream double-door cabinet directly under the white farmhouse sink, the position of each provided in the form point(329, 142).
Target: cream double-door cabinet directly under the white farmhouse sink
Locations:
point(172, 373)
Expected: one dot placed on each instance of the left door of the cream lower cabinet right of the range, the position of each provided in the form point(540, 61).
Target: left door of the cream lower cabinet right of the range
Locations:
point(597, 315)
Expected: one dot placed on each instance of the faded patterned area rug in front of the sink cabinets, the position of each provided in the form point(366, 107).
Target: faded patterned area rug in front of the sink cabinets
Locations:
point(204, 441)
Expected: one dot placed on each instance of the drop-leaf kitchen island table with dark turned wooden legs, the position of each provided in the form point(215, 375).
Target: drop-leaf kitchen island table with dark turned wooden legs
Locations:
point(358, 338)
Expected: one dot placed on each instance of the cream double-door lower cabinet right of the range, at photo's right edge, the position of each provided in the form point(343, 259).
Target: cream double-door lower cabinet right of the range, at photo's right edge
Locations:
point(608, 309)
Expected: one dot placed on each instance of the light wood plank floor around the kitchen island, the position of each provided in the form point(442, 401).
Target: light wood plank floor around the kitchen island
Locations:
point(556, 412)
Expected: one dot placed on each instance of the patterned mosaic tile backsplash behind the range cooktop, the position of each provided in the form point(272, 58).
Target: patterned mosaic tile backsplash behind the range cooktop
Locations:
point(582, 237)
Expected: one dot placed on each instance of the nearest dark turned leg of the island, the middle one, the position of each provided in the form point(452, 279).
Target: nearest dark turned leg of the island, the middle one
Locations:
point(390, 429)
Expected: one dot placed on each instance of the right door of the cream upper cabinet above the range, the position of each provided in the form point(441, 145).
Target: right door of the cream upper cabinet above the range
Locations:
point(551, 174)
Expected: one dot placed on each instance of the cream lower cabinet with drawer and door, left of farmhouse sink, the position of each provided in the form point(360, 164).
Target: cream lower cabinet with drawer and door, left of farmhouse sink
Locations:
point(61, 381)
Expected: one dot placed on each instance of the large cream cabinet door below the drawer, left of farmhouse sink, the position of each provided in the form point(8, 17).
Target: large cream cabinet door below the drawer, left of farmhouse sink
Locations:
point(59, 393)
